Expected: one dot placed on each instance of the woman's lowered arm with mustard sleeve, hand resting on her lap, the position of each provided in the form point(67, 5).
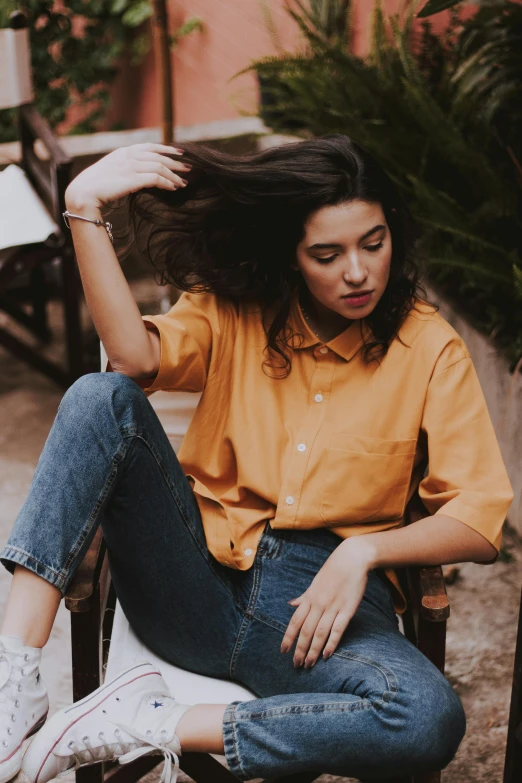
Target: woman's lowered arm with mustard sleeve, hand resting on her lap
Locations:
point(466, 492)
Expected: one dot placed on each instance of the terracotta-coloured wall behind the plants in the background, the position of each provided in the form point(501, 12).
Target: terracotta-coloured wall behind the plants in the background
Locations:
point(235, 33)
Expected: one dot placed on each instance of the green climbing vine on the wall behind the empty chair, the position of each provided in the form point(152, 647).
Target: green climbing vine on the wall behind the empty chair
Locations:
point(76, 49)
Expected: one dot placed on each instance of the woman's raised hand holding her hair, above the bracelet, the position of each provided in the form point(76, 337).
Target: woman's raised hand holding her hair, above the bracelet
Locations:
point(126, 170)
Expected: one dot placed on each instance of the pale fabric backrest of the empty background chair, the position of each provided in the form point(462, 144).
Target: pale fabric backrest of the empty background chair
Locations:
point(15, 68)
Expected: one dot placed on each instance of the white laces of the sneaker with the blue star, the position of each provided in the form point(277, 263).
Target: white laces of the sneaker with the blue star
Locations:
point(122, 750)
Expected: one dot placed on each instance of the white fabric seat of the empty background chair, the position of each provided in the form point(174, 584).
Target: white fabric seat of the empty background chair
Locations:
point(24, 218)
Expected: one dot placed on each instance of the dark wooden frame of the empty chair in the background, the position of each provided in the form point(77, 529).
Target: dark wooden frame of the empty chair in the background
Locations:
point(25, 264)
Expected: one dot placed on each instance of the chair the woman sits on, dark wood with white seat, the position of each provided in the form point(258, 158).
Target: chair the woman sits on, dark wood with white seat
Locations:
point(91, 602)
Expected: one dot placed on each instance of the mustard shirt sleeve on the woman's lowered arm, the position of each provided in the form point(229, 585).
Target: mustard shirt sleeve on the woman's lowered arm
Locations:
point(466, 479)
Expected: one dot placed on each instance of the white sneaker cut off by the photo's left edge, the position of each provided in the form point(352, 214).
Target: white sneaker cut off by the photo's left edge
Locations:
point(23, 701)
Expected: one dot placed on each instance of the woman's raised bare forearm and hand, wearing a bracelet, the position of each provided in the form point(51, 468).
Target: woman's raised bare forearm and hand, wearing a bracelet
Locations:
point(132, 349)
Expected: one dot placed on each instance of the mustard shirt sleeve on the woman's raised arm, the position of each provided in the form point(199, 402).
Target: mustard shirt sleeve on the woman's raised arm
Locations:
point(187, 335)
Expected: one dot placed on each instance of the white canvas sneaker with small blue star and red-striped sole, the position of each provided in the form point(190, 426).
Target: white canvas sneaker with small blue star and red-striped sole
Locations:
point(131, 716)
